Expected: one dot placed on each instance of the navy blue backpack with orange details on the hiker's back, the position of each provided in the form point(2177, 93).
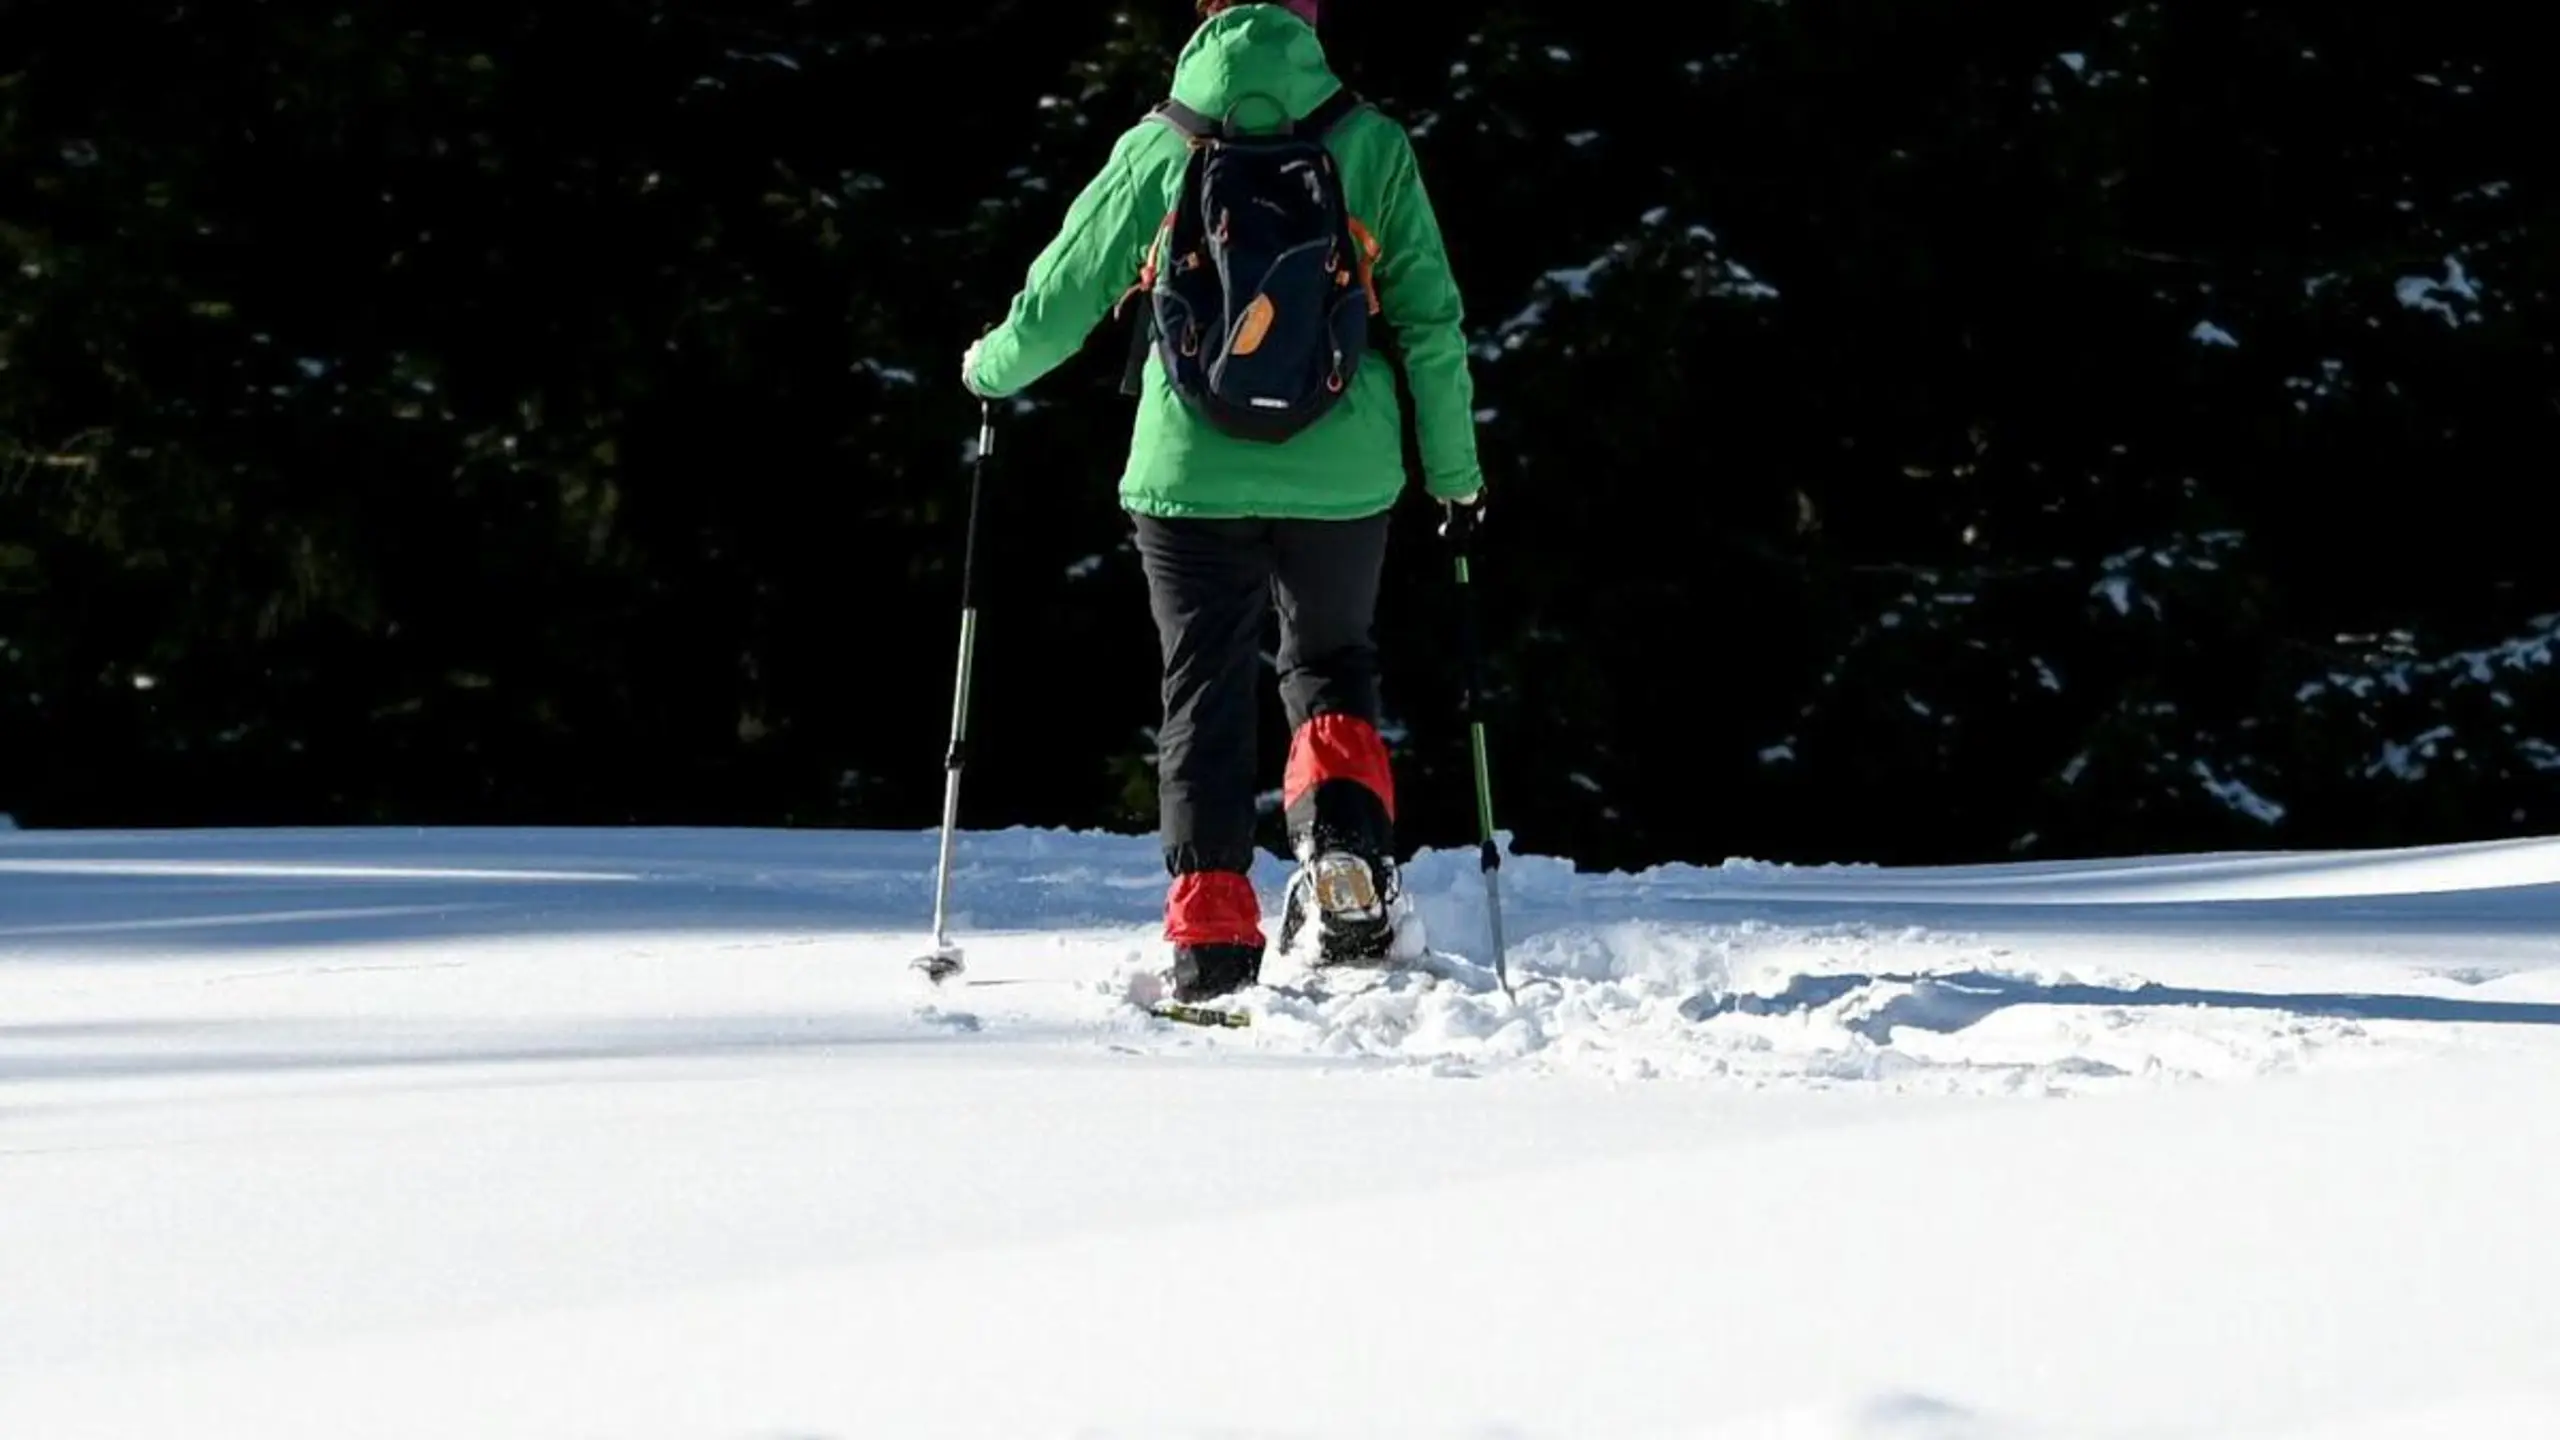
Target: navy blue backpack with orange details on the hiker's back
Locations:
point(1261, 283)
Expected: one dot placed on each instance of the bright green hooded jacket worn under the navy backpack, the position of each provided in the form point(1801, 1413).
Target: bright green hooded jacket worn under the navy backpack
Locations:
point(1345, 465)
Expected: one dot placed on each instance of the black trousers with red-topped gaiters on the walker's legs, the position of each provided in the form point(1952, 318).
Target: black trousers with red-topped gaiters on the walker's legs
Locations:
point(1215, 585)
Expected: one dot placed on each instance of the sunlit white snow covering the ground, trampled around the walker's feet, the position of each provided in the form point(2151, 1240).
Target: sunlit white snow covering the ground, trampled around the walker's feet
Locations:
point(590, 1134)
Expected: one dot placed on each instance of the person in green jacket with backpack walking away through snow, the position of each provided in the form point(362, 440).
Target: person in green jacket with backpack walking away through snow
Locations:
point(1266, 460)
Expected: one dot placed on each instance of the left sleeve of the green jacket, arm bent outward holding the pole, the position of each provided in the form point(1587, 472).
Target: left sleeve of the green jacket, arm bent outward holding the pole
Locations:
point(1074, 281)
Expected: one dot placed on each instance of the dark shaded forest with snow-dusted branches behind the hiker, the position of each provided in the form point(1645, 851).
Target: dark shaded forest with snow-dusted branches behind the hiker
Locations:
point(1916, 432)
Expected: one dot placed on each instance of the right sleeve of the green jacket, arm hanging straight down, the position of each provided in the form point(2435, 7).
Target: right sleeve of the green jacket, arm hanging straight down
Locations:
point(1420, 299)
